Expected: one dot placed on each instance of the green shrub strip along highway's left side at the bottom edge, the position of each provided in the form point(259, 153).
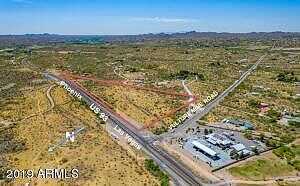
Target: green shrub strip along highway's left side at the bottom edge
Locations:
point(155, 170)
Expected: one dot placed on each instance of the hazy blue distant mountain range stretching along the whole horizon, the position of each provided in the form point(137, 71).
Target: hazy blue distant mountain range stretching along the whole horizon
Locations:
point(42, 39)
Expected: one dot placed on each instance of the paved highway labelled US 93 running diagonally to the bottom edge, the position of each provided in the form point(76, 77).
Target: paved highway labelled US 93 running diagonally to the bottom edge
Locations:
point(179, 173)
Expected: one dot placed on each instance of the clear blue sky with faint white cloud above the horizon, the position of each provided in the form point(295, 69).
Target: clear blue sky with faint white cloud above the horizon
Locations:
point(145, 16)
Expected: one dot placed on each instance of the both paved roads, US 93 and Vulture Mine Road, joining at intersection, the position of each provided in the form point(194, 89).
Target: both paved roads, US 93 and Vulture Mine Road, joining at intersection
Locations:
point(180, 173)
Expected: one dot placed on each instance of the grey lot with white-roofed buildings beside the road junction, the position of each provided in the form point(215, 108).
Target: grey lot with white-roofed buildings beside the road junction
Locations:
point(228, 140)
